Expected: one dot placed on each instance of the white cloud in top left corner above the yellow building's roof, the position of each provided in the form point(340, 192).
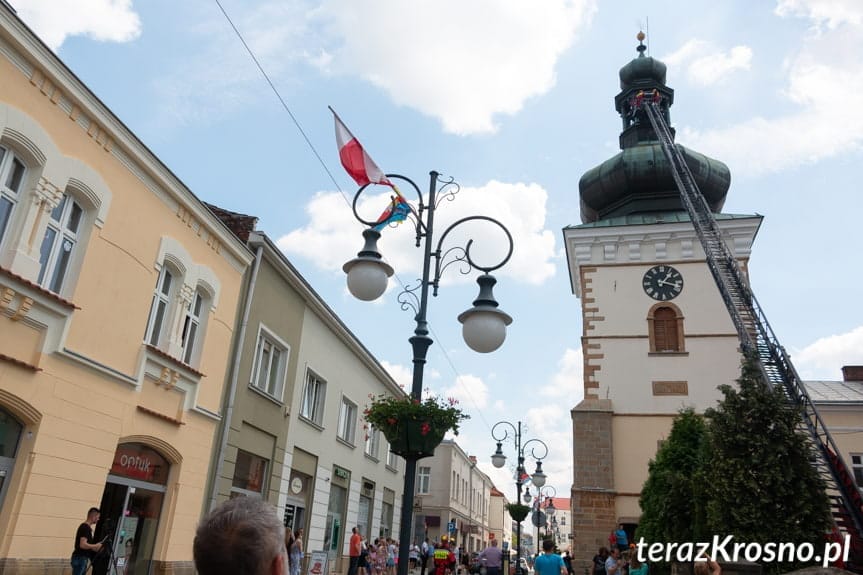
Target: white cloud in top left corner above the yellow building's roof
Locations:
point(103, 20)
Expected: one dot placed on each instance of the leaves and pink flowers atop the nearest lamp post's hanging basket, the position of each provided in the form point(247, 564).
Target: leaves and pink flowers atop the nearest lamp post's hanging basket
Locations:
point(385, 412)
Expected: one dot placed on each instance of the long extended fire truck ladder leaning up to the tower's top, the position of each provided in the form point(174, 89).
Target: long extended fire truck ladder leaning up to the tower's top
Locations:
point(758, 340)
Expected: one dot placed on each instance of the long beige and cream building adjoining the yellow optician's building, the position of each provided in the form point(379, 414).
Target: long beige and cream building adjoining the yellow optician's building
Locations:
point(299, 382)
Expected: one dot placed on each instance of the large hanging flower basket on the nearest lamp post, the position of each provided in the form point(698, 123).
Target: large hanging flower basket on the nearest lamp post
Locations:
point(413, 428)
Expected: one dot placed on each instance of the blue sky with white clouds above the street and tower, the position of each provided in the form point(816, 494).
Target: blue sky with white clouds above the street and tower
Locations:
point(514, 100)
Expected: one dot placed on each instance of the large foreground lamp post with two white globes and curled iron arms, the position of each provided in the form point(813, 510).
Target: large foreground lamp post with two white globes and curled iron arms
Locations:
point(483, 325)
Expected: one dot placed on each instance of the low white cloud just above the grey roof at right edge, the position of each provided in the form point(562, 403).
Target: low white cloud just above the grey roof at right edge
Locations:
point(824, 358)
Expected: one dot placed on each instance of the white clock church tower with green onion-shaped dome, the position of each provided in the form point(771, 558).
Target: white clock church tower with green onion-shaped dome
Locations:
point(656, 335)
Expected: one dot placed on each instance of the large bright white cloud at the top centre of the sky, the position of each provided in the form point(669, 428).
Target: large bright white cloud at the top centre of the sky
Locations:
point(461, 62)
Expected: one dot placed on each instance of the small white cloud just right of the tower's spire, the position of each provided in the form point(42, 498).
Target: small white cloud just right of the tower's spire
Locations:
point(705, 65)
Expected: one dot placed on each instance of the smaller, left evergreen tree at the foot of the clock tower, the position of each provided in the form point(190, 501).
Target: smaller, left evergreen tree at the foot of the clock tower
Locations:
point(670, 499)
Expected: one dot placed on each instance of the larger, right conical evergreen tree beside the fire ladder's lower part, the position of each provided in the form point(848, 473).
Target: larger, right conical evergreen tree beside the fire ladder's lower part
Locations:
point(759, 484)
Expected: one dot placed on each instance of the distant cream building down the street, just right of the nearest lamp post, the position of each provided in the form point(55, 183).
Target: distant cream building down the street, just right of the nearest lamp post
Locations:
point(454, 499)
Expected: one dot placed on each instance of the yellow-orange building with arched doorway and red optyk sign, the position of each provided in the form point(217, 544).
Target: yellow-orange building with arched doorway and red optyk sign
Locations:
point(118, 298)
